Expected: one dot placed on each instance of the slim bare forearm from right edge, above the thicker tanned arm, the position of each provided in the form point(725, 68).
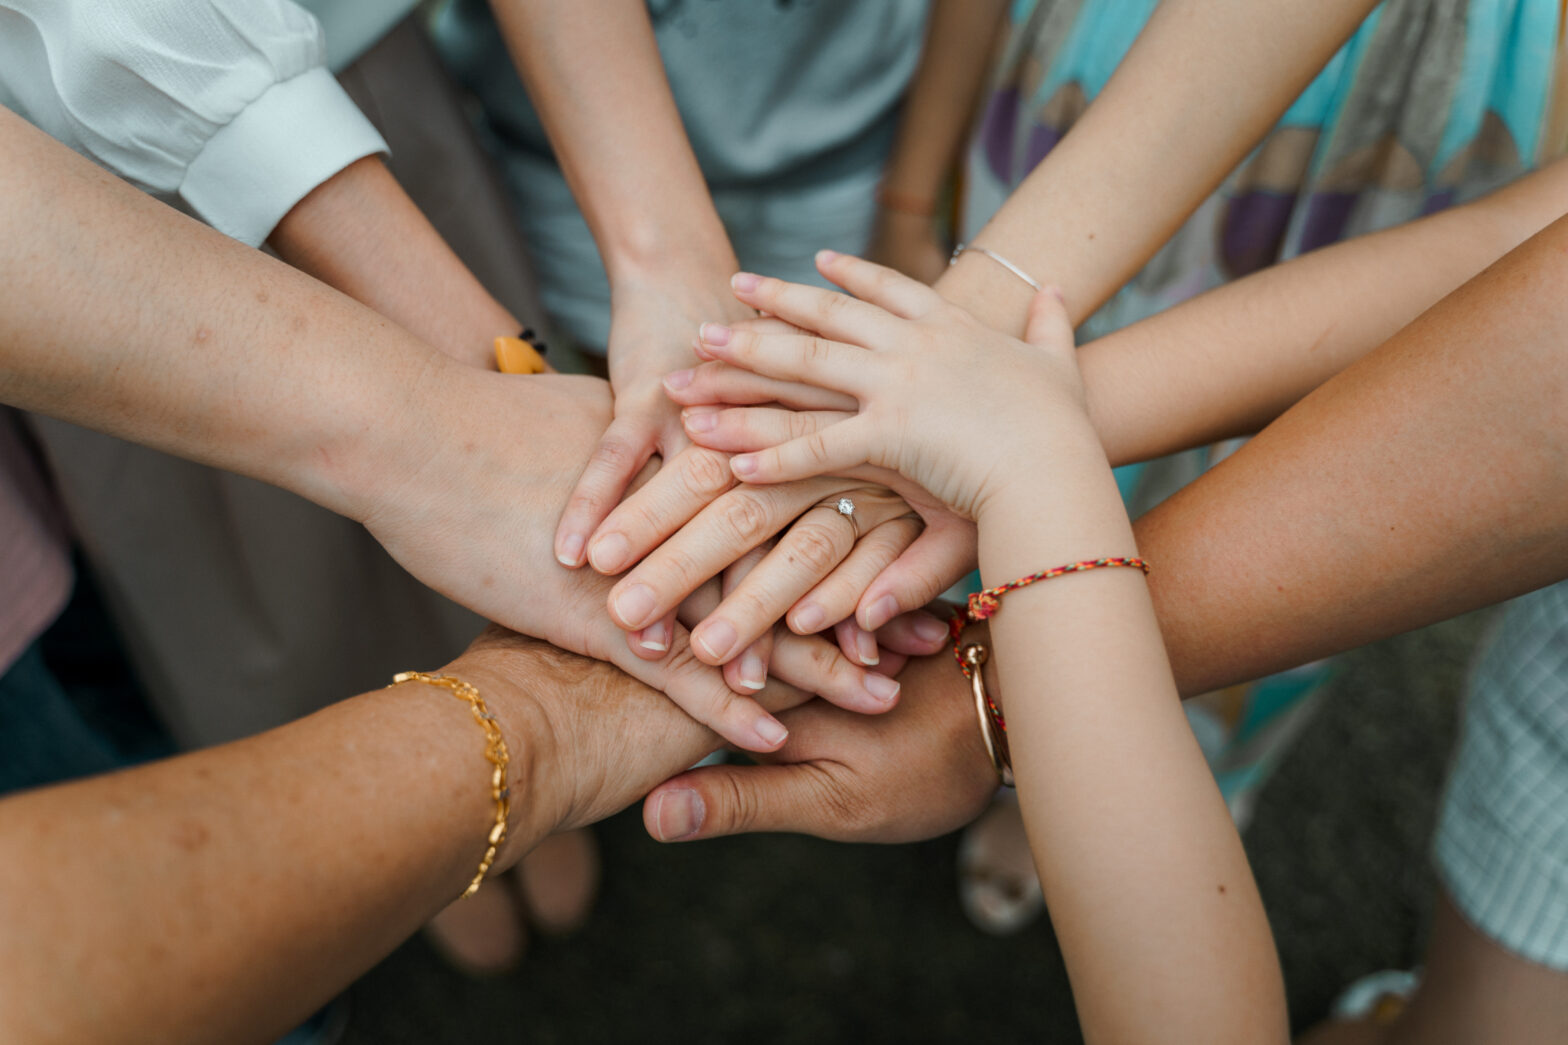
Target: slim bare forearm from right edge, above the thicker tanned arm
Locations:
point(1233, 360)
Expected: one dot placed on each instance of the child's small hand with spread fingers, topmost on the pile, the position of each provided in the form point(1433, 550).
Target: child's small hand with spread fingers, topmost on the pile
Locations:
point(942, 399)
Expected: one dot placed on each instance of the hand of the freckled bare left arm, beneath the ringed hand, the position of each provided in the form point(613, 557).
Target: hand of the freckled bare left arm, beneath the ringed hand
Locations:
point(465, 503)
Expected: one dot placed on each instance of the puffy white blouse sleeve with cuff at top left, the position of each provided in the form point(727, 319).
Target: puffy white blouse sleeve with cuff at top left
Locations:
point(223, 104)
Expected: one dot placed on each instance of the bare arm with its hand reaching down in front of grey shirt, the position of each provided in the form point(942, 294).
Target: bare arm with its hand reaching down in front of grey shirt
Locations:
point(631, 167)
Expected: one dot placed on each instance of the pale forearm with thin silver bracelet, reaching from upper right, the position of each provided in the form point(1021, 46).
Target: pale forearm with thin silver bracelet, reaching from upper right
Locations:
point(1197, 90)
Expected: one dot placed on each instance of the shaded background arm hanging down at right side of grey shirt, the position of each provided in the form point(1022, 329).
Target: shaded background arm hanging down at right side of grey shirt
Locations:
point(937, 114)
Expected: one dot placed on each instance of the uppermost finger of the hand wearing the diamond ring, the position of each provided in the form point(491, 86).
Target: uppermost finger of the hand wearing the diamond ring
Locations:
point(688, 484)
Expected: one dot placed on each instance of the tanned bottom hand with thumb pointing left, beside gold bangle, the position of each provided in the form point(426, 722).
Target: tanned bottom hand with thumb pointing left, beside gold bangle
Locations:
point(916, 773)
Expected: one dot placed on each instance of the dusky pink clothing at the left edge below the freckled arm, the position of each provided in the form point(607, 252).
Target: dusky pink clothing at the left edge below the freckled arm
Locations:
point(35, 555)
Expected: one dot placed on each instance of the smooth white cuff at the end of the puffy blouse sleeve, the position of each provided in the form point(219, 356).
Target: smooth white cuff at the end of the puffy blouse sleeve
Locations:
point(267, 159)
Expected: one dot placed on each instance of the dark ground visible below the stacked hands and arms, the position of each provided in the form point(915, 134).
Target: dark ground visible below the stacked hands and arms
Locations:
point(783, 939)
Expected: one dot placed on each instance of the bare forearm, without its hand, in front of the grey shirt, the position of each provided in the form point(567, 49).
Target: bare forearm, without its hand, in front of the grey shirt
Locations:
point(619, 139)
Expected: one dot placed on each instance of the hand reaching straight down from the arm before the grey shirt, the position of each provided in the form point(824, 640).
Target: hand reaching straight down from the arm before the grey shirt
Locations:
point(652, 332)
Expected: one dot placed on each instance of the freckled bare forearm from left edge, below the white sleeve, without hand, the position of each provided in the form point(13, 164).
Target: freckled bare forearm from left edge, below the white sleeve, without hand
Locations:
point(123, 316)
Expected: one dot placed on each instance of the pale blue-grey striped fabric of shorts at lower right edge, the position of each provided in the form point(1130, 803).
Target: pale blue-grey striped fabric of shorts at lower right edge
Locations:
point(1503, 839)
